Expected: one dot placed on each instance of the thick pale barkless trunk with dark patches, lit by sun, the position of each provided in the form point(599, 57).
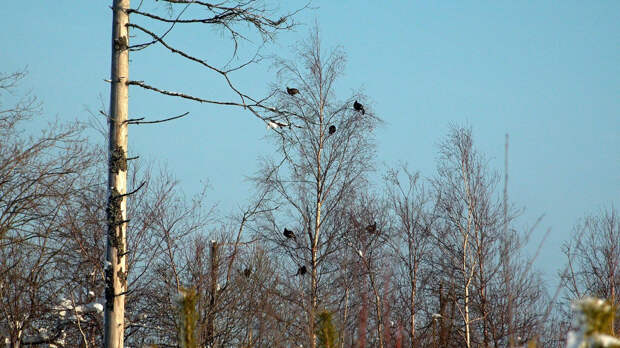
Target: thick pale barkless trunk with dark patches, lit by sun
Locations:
point(116, 268)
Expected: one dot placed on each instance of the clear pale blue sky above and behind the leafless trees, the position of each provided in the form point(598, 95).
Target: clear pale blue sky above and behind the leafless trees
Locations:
point(547, 73)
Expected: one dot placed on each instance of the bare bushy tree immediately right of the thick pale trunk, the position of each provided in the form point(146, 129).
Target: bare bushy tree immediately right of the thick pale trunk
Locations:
point(165, 225)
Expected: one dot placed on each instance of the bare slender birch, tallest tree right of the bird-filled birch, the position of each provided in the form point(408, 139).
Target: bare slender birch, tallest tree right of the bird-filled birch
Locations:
point(473, 236)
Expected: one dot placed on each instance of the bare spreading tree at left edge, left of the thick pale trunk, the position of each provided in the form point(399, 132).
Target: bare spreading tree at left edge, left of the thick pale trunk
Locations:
point(39, 175)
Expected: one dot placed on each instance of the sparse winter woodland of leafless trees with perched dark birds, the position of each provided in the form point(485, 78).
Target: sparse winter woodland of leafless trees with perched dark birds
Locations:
point(322, 256)
